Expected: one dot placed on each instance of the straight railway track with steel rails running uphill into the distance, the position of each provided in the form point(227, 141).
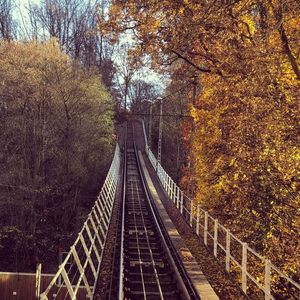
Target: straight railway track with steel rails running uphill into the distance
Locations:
point(146, 266)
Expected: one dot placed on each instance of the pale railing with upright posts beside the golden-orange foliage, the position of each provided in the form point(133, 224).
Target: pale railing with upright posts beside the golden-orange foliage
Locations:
point(193, 213)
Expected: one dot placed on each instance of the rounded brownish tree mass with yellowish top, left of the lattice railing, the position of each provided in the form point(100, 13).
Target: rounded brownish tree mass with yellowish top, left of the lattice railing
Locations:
point(57, 137)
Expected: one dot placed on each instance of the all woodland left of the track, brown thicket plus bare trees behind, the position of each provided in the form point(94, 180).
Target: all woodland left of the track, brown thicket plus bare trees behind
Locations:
point(57, 131)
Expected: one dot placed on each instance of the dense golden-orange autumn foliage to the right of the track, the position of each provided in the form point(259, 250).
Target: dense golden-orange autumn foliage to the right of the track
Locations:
point(245, 139)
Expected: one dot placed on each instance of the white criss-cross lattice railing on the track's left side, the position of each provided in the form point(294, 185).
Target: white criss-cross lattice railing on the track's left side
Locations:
point(83, 261)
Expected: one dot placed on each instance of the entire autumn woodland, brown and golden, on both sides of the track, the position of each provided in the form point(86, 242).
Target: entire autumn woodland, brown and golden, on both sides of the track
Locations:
point(231, 114)
